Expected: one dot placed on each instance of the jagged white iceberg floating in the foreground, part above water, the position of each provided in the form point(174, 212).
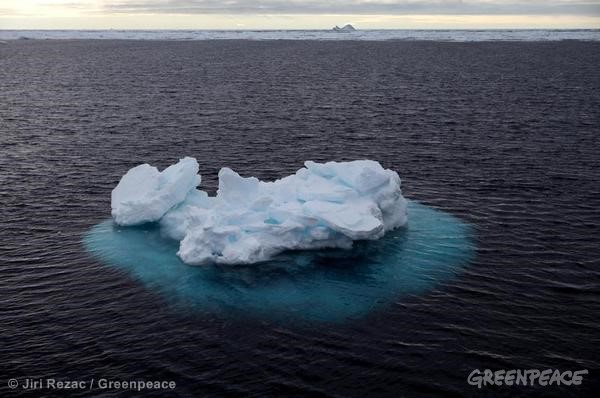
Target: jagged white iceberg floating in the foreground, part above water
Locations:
point(322, 205)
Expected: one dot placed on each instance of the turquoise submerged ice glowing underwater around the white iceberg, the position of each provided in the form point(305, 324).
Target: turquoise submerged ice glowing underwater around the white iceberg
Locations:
point(328, 285)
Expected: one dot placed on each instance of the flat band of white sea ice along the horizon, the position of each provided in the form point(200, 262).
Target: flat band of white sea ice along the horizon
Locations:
point(325, 34)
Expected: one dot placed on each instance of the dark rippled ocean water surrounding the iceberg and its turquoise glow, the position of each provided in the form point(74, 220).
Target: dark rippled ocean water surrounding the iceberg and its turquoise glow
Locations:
point(505, 136)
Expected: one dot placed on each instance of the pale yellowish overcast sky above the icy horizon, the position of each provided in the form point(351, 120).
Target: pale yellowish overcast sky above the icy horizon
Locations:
point(297, 14)
